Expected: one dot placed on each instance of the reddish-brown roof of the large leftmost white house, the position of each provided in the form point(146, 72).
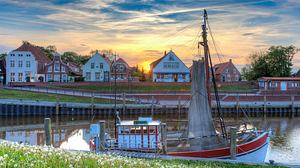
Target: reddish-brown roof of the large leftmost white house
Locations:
point(37, 52)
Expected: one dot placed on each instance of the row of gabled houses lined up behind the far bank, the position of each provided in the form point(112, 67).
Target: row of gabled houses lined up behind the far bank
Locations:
point(29, 63)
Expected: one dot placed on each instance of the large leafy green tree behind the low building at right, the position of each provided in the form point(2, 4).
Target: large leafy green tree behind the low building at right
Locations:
point(275, 62)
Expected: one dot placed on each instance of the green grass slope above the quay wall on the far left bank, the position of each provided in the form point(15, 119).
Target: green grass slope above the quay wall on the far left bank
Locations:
point(24, 95)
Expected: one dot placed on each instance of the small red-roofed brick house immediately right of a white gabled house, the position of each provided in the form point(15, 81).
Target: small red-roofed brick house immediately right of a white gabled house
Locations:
point(122, 71)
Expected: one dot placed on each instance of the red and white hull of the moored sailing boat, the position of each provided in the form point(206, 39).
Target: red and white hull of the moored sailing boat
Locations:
point(252, 151)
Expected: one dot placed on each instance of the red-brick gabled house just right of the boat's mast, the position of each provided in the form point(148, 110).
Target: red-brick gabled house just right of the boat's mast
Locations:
point(227, 72)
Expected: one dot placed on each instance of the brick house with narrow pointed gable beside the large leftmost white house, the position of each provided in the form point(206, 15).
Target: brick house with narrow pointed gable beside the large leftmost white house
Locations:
point(56, 70)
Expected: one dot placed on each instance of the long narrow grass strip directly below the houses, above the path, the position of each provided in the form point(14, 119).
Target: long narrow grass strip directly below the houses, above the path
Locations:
point(149, 87)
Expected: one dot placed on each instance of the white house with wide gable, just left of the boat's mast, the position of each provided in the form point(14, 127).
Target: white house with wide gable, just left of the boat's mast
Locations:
point(169, 68)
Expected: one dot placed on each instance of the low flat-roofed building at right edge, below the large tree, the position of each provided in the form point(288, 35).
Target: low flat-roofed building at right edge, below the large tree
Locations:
point(279, 84)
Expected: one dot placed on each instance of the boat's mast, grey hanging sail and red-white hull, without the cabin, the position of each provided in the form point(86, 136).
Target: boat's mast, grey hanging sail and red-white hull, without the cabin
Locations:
point(205, 137)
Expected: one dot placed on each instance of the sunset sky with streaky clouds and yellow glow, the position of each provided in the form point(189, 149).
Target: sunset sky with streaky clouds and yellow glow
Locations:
point(140, 31)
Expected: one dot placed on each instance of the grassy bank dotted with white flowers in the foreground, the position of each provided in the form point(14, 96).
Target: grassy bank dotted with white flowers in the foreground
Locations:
point(13, 155)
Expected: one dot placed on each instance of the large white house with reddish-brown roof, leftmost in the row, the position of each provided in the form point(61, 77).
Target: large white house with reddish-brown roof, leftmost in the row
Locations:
point(26, 64)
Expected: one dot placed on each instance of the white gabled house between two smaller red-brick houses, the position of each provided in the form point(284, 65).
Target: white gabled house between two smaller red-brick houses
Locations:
point(97, 68)
